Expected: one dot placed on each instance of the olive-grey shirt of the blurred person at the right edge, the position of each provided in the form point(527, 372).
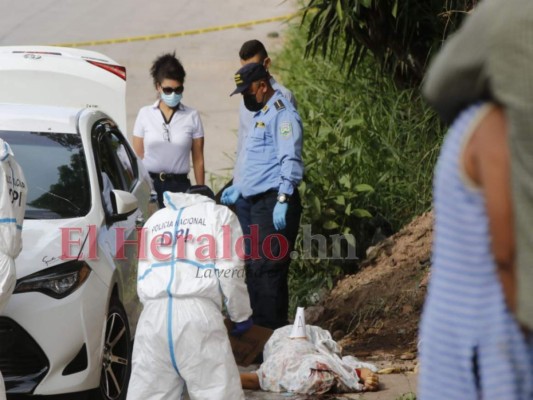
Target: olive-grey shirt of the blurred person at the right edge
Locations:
point(490, 58)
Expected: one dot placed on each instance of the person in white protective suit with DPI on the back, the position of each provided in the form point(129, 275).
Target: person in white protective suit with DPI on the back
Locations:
point(181, 339)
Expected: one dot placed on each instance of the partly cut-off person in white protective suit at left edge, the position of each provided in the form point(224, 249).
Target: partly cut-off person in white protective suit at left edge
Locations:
point(13, 190)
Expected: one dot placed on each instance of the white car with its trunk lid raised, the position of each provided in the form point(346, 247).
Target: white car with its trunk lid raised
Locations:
point(70, 323)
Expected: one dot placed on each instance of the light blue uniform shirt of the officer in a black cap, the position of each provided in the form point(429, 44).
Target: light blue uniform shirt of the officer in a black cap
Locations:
point(272, 150)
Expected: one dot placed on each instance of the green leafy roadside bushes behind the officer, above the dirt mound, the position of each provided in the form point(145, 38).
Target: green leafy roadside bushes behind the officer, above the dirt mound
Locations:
point(369, 152)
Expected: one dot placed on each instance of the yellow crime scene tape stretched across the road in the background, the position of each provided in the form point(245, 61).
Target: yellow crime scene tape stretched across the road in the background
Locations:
point(178, 34)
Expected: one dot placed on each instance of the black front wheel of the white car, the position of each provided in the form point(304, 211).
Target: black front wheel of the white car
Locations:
point(116, 361)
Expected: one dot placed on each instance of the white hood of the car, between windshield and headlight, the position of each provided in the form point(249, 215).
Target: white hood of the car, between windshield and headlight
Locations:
point(45, 243)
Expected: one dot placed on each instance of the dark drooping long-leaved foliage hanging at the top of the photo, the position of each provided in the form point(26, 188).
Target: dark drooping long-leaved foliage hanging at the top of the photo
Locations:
point(401, 35)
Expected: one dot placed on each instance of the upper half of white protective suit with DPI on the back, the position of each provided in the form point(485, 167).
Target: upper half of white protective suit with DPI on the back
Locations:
point(195, 251)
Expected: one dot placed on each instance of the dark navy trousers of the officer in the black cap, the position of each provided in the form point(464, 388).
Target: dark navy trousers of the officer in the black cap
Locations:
point(270, 259)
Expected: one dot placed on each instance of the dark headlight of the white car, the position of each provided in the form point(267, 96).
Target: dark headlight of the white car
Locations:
point(57, 282)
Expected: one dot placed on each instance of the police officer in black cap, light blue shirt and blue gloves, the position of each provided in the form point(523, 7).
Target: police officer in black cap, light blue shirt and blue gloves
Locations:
point(271, 171)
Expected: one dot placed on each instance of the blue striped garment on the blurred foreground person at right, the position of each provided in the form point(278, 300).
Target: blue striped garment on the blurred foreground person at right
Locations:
point(471, 347)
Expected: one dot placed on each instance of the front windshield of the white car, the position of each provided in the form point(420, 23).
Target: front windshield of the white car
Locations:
point(56, 172)
